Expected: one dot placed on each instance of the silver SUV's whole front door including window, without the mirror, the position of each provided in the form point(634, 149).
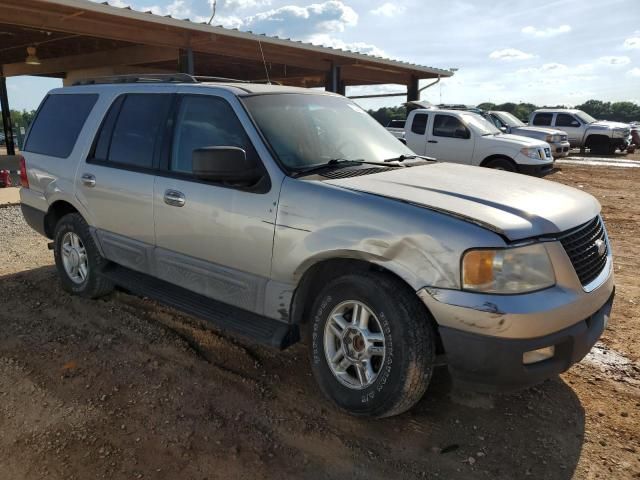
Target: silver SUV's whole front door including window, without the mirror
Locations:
point(211, 238)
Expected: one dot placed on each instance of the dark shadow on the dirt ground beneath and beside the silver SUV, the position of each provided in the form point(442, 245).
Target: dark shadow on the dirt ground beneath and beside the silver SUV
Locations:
point(251, 411)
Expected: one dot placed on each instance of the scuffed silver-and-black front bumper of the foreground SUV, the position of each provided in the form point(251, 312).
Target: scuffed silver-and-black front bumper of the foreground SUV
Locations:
point(484, 335)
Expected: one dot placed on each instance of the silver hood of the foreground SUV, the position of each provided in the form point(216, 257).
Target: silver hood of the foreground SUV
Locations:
point(513, 205)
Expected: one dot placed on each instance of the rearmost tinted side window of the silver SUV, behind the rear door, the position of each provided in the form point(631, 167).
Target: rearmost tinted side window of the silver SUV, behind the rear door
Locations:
point(58, 124)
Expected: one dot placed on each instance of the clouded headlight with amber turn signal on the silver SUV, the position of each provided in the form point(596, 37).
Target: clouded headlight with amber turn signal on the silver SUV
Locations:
point(509, 270)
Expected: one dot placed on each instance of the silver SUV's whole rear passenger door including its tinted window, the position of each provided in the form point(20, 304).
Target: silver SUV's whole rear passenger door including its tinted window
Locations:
point(115, 184)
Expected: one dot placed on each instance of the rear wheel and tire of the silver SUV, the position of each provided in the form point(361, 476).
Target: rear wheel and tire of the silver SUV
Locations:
point(72, 235)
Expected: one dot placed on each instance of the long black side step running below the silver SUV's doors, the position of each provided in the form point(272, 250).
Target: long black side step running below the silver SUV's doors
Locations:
point(264, 330)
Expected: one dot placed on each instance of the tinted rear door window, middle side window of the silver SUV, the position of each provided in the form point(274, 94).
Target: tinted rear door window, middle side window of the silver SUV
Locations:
point(136, 129)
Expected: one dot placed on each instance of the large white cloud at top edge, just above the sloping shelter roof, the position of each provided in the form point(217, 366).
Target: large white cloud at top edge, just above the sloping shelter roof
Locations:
point(301, 22)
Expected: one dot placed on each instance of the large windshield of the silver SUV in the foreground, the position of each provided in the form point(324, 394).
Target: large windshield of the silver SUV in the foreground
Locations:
point(306, 130)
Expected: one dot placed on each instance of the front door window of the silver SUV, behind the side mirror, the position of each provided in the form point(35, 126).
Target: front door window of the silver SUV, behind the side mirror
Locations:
point(205, 122)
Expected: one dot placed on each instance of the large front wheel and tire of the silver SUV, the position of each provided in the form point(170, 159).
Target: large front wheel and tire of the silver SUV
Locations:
point(400, 375)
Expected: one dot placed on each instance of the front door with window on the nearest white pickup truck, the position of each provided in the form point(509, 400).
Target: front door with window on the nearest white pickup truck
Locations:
point(449, 139)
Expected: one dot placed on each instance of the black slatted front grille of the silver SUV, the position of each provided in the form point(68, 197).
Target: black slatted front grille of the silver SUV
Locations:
point(581, 245)
